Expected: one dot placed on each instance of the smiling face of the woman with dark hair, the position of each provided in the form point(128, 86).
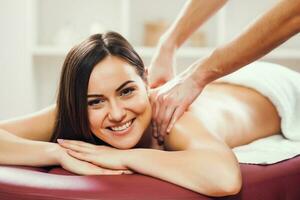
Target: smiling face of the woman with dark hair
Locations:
point(119, 110)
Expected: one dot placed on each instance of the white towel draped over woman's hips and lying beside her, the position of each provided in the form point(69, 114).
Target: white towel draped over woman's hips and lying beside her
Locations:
point(282, 86)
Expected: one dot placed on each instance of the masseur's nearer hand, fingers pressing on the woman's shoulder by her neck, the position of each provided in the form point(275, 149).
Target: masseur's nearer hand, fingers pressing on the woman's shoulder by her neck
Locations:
point(170, 101)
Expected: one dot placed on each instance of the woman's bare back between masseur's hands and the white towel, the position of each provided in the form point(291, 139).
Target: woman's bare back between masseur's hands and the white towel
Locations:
point(225, 113)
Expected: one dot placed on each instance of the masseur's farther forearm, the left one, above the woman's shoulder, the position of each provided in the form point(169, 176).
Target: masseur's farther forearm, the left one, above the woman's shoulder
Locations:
point(191, 17)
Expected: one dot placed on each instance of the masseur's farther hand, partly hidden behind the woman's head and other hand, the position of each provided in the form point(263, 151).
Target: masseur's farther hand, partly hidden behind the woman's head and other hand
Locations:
point(161, 69)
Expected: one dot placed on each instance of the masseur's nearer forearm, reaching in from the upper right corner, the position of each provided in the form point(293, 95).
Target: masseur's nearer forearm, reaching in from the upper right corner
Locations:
point(269, 31)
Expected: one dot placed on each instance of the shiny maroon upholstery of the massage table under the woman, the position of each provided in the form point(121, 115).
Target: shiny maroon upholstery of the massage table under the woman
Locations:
point(278, 181)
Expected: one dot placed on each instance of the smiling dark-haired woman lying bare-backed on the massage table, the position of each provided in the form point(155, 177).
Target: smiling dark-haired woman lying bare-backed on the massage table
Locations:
point(102, 124)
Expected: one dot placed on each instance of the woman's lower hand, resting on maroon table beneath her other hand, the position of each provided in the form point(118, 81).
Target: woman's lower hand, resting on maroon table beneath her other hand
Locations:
point(83, 167)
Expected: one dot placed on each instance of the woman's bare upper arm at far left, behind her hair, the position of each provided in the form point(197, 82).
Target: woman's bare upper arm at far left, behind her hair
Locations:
point(35, 126)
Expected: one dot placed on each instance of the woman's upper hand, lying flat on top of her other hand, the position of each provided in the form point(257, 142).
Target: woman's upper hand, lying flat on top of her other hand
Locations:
point(99, 155)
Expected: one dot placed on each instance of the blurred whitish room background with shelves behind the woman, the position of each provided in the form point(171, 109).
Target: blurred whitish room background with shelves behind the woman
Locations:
point(36, 35)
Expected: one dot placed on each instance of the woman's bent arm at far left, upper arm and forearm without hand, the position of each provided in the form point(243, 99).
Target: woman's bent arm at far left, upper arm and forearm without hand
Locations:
point(17, 140)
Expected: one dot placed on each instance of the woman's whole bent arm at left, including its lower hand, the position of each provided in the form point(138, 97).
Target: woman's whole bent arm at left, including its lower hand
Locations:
point(24, 141)
